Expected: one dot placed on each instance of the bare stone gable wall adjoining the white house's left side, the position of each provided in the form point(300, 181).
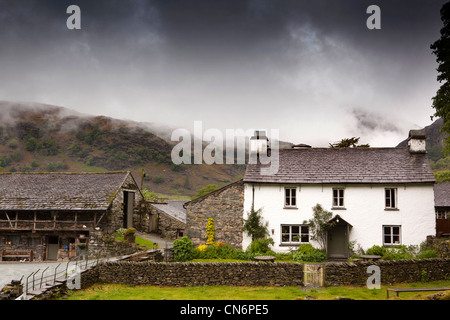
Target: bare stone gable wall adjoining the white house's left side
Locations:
point(226, 207)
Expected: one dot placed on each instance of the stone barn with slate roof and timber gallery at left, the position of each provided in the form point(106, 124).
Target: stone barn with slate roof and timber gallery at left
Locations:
point(51, 216)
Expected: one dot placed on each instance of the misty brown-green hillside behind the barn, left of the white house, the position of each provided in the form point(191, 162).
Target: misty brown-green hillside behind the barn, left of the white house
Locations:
point(43, 138)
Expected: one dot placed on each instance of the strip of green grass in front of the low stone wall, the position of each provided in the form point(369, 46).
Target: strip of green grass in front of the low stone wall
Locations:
point(125, 292)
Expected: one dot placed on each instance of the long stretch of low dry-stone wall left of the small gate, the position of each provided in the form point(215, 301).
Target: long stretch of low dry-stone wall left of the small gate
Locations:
point(201, 274)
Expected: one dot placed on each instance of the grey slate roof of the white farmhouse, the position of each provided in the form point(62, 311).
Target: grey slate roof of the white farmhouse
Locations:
point(345, 165)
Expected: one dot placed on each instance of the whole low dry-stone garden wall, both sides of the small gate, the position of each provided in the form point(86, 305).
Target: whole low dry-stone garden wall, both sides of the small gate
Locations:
point(266, 274)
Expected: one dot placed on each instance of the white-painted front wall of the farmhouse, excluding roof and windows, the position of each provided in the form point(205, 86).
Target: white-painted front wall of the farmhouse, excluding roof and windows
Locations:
point(365, 210)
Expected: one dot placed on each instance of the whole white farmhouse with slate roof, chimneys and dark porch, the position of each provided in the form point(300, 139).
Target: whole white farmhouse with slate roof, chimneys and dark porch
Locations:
point(378, 196)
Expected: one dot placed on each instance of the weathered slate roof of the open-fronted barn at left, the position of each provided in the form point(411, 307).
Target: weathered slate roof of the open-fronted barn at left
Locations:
point(59, 191)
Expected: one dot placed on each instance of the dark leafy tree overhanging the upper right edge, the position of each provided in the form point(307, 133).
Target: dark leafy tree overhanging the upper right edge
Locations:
point(440, 48)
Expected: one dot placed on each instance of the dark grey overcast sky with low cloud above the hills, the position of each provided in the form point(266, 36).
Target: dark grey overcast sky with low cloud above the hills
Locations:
point(311, 69)
